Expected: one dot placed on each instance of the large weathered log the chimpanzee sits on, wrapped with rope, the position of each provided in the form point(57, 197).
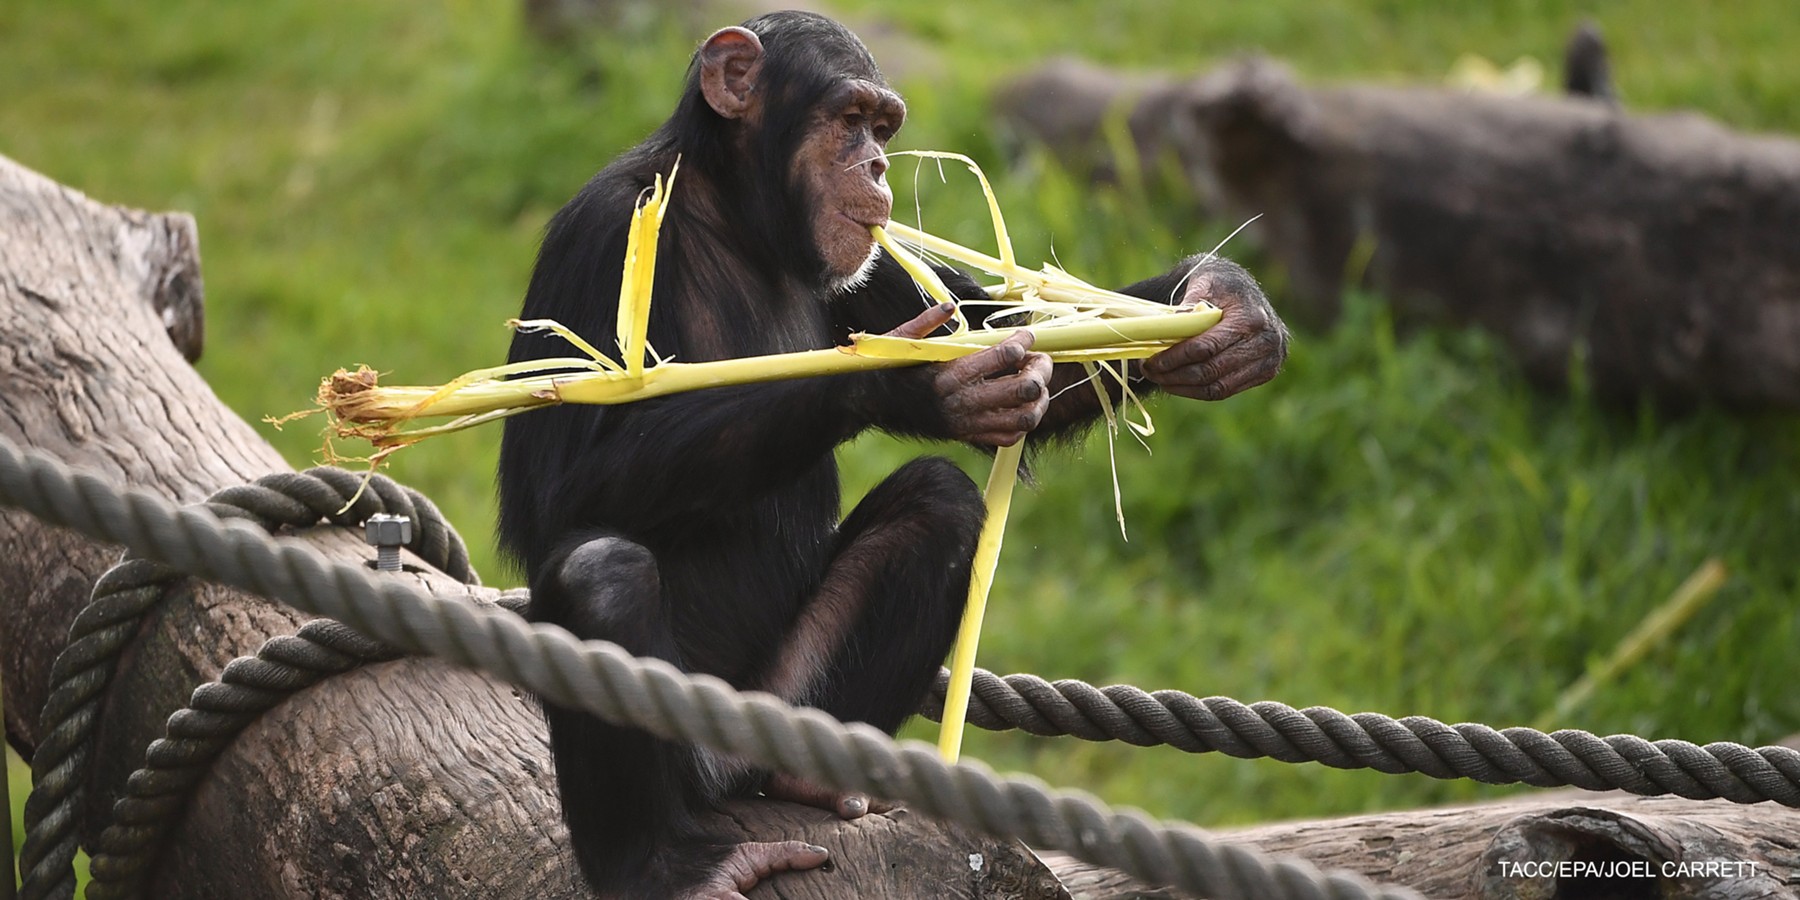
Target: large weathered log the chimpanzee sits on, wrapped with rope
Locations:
point(393, 782)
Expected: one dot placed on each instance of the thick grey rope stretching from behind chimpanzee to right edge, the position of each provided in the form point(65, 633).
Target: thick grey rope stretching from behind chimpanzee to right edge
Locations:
point(1372, 741)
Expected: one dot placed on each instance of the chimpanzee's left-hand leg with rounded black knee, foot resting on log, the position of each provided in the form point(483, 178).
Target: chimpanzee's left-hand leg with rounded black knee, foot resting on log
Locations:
point(629, 798)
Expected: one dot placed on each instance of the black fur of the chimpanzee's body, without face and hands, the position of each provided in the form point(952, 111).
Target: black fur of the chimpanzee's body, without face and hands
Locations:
point(697, 528)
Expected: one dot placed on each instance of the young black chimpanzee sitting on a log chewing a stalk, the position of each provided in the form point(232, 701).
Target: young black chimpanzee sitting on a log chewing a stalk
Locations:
point(703, 528)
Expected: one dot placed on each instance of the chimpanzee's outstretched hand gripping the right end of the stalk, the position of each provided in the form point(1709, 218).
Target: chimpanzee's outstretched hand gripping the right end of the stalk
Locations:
point(1245, 350)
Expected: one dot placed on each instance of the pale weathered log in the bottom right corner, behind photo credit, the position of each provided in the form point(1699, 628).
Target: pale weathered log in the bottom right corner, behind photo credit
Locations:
point(1682, 849)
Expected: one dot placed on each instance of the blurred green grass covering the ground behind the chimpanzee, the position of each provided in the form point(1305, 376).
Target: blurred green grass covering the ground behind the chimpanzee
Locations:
point(1396, 525)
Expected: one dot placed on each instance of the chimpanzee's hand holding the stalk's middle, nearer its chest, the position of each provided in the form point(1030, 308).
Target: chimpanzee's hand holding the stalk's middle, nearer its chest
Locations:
point(994, 397)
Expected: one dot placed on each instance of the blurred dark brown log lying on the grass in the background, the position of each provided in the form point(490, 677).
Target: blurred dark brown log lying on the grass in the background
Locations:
point(1659, 249)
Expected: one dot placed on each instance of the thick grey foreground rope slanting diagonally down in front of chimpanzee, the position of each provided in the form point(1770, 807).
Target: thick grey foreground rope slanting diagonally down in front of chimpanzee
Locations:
point(604, 679)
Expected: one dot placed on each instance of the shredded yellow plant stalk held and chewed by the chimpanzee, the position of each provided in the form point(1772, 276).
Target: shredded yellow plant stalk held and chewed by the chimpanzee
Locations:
point(1072, 323)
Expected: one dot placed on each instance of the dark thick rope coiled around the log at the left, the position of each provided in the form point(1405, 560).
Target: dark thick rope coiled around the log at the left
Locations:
point(134, 588)
